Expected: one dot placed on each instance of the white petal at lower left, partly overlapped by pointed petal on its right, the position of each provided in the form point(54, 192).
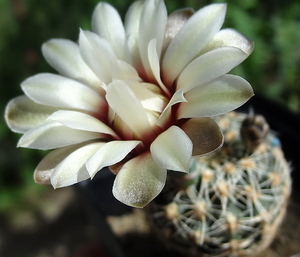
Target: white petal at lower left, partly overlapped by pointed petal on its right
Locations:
point(72, 169)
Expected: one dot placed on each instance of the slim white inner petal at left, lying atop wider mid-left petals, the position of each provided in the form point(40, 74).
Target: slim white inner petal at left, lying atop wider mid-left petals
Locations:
point(81, 121)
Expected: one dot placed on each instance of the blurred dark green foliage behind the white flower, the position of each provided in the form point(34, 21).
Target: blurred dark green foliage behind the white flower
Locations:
point(272, 69)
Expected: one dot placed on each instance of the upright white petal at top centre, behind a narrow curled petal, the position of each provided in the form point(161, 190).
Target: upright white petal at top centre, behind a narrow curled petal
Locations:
point(152, 26)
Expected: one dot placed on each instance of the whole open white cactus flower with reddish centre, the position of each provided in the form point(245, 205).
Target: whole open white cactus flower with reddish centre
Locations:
point(136, 97)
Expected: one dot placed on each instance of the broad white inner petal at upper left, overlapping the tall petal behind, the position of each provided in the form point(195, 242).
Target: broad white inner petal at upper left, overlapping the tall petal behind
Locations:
point(98, 55)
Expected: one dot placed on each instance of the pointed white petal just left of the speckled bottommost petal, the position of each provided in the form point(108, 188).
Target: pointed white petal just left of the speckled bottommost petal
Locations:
point(108, 154)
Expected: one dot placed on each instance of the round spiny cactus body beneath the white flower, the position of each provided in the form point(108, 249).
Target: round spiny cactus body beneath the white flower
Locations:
point(232, 201)
